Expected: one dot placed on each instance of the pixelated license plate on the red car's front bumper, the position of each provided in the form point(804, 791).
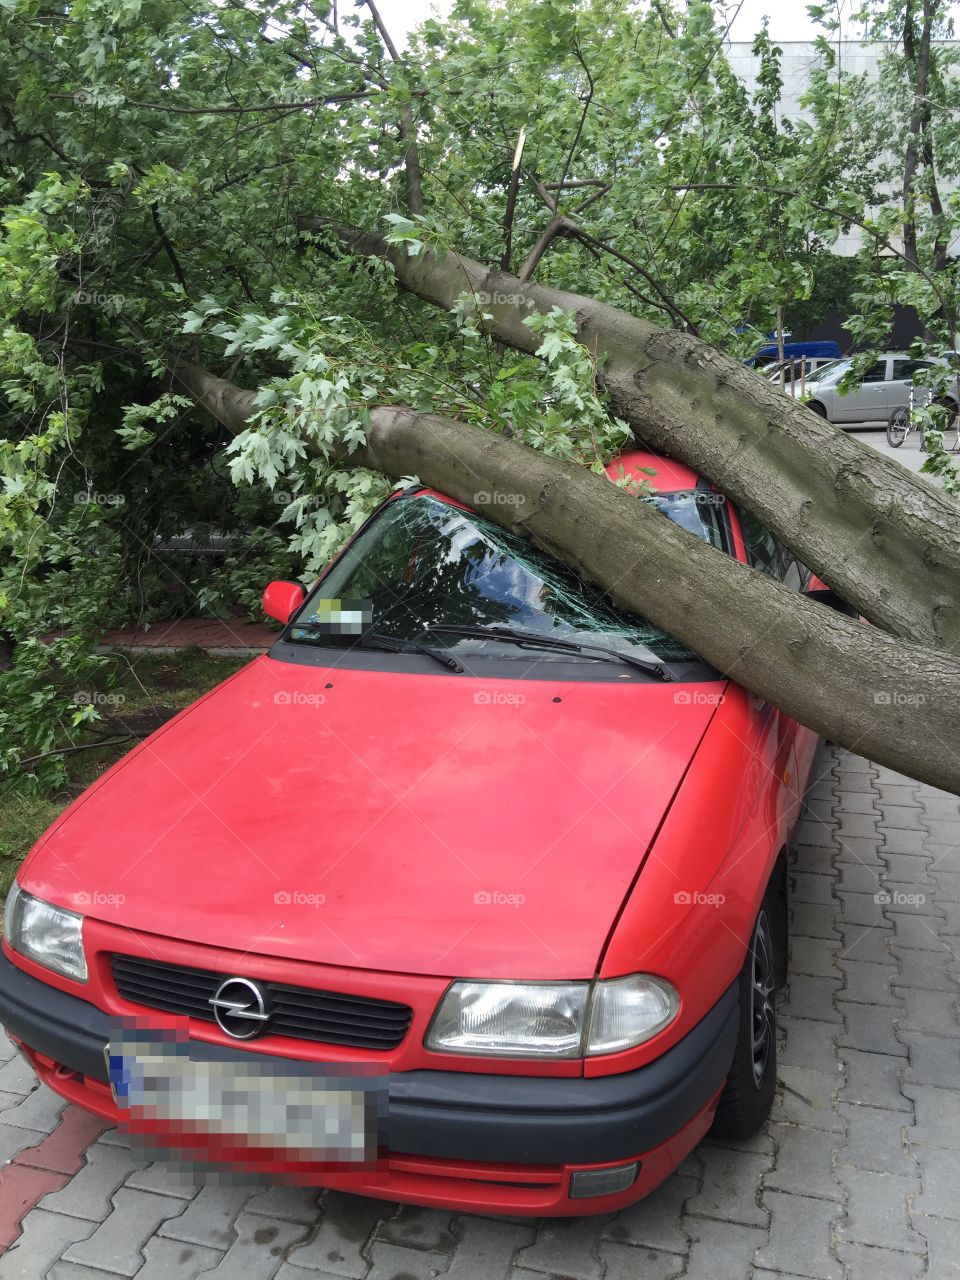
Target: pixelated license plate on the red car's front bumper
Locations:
point(308, 1112)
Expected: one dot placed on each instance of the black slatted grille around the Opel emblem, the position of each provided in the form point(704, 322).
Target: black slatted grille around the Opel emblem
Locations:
point(303, 1013)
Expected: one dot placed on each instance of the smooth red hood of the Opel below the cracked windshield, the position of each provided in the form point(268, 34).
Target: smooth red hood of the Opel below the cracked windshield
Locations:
point(417, 824)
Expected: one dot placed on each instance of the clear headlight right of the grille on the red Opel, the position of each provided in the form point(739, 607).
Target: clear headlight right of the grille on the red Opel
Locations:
point(550, 1020)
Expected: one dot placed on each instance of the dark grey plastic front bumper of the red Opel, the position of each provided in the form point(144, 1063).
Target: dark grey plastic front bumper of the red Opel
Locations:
point(444, 1117)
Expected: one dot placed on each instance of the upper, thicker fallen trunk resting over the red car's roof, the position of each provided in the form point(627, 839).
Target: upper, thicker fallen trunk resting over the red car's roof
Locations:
point(883, 538)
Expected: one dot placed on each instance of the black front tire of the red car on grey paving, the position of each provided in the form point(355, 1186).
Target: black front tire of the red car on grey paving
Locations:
point(748, 1096)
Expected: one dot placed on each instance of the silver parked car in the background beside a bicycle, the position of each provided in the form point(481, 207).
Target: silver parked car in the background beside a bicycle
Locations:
point(886, 386)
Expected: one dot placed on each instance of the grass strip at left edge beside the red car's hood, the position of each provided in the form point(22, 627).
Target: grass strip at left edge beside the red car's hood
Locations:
point(150, 684)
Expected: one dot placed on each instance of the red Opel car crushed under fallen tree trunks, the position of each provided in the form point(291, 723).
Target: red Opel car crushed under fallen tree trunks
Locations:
point(470, 893)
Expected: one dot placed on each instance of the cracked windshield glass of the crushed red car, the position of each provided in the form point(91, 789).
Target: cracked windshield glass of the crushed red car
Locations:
point(423, 563)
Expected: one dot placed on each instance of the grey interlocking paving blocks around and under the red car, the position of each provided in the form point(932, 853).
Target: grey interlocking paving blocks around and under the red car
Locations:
point(856, 1178)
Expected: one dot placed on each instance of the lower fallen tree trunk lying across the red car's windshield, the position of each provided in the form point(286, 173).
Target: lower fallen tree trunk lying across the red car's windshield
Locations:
point(889, 700)
